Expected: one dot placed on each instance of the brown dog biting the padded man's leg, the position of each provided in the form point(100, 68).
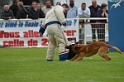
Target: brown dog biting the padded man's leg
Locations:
point(82, 50)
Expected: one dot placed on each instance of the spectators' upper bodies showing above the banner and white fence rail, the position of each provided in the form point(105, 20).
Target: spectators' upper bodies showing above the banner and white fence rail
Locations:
point(36, 11)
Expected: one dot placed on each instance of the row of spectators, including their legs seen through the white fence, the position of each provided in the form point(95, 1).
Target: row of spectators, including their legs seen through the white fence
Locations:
point(36, 11)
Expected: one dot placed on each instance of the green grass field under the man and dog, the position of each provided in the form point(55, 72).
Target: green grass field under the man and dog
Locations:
point(29, 65)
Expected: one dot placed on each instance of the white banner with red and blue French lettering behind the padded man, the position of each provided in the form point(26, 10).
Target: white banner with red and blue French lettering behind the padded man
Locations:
point(24, 33)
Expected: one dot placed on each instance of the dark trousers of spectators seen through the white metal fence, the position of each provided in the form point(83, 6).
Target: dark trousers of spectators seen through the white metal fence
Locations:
point(100, 32)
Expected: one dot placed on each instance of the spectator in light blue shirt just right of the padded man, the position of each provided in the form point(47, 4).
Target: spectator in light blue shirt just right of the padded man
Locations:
point(73, 11)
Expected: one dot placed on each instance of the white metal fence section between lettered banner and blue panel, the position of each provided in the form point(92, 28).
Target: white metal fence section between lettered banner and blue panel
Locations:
point(93, 31)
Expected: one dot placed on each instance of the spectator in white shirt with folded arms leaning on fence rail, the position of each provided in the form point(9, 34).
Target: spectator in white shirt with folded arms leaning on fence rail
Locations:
point(84, 11)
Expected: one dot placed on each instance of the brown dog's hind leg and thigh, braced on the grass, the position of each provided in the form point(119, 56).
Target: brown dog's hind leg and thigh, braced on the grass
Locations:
point(103, 53)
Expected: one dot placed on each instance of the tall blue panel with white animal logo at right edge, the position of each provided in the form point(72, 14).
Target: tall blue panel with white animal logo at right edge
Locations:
point(116, 23)
